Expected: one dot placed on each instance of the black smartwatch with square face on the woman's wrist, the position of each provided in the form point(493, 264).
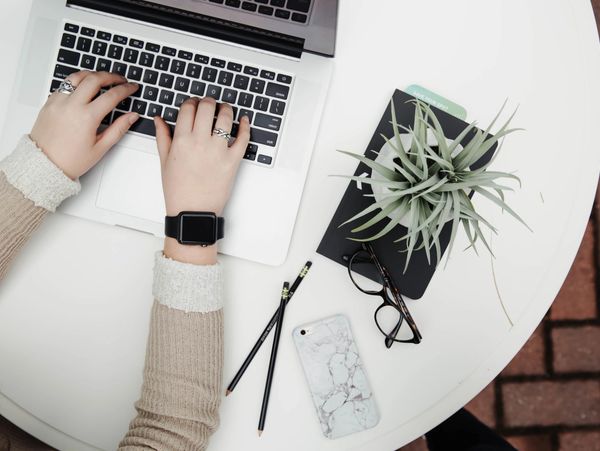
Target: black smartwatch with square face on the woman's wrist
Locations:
point(199, 228)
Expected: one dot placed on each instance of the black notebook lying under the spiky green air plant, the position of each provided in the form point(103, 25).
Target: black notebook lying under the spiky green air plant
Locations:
point(335, 243)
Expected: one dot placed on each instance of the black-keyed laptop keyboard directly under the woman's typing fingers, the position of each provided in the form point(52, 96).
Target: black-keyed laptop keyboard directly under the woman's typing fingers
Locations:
point(168, 76)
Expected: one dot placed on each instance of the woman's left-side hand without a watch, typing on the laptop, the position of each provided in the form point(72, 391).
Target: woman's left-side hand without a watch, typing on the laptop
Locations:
point(67, 127)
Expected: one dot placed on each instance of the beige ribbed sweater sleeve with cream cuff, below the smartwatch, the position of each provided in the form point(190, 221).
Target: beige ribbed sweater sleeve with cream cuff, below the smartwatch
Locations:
point(181, 391)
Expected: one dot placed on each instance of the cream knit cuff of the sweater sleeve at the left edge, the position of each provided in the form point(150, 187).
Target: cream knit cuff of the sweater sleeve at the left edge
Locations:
point(30, 171)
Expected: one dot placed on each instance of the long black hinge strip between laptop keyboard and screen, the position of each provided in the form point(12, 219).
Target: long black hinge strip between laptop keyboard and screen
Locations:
point(196, 23)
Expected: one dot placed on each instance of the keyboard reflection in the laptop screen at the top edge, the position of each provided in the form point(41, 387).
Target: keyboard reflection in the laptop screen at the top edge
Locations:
point(296, 11)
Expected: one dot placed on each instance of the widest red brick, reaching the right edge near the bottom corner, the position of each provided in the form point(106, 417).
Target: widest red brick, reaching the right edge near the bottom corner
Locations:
point(549, 403)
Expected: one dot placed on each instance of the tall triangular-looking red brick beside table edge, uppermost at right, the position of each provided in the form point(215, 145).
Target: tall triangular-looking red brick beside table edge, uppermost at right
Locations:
point(577, 297)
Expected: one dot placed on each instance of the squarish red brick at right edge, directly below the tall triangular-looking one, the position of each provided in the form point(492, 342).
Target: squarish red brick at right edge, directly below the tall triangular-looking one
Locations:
point(576, 348)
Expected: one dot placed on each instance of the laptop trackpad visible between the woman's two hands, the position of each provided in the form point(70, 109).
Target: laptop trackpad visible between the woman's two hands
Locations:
point(131, 184)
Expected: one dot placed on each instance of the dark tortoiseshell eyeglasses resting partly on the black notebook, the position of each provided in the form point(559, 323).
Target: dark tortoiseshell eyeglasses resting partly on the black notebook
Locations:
point(392, 317)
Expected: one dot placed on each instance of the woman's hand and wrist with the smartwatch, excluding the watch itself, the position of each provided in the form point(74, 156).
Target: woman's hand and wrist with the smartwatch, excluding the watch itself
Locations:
point(198, 168)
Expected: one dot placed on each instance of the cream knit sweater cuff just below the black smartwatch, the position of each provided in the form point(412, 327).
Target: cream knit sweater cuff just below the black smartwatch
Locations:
point(187, 287)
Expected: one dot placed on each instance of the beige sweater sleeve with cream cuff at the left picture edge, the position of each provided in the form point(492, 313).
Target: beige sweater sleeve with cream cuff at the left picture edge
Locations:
point(31, 186)
